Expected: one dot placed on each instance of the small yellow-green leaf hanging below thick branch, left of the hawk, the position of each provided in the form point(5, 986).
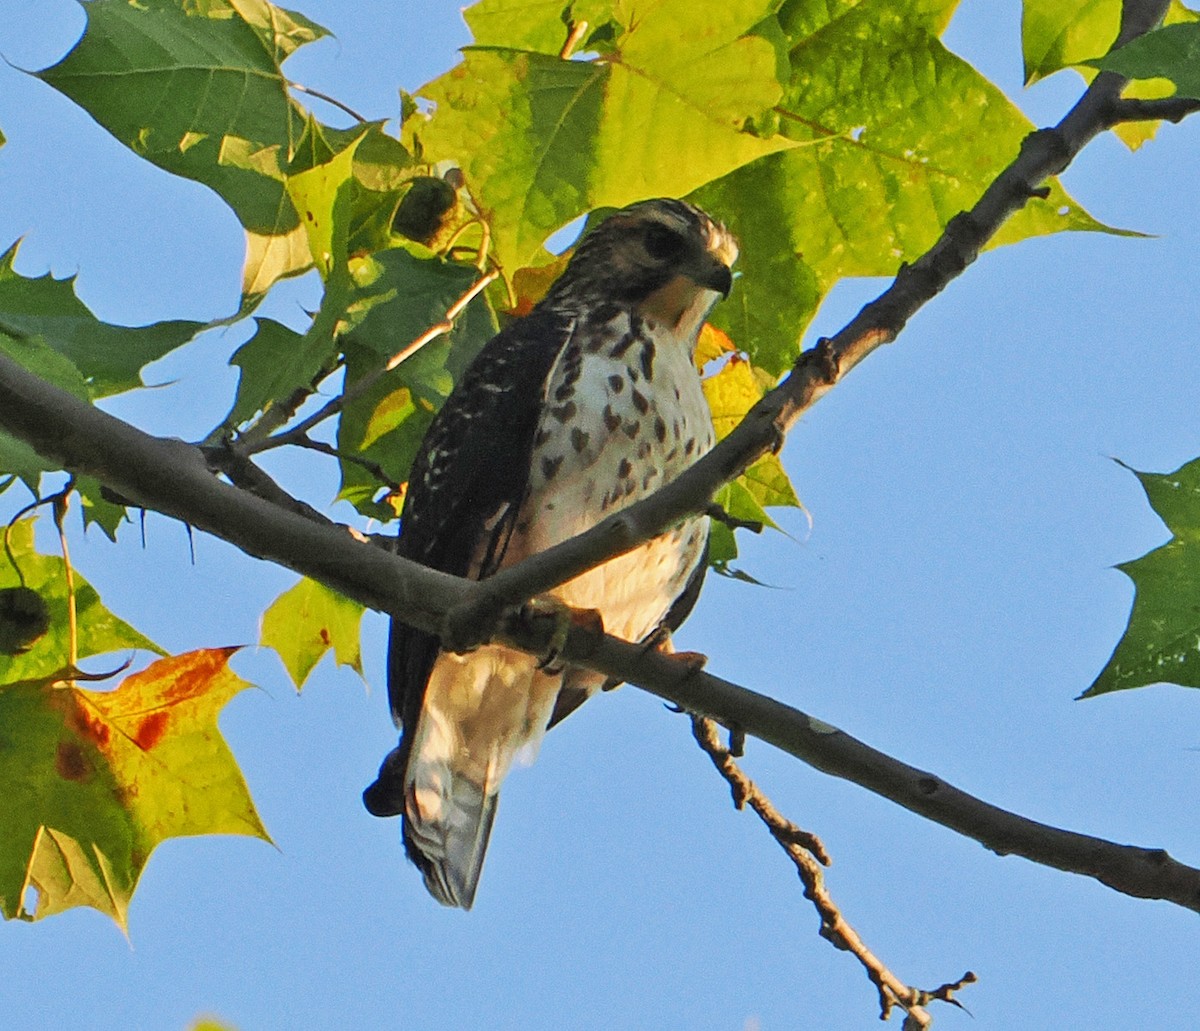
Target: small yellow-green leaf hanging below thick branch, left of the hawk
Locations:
point(307, 622)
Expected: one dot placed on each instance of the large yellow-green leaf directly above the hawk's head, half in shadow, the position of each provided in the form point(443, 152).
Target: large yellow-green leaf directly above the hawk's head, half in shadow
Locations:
point(542, 141)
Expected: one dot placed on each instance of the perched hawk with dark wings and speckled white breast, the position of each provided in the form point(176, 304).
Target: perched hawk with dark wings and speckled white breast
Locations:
point(579, 409)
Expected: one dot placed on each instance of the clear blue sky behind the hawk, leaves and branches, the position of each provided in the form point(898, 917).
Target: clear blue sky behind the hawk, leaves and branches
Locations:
point(953, 596)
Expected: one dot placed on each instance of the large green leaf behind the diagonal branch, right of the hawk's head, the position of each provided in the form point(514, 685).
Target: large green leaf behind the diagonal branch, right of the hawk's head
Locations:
point(895, 136)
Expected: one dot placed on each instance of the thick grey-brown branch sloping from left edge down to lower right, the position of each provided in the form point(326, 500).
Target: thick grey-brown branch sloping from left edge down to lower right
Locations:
point(173, 478)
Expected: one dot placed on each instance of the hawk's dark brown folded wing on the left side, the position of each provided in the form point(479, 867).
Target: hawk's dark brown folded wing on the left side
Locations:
point(464, 495)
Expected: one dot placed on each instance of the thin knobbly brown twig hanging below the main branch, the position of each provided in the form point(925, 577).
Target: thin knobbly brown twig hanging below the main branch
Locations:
point(808, 854)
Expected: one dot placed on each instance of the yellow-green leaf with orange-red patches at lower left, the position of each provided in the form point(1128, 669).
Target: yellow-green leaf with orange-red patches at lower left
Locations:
point(94, 781)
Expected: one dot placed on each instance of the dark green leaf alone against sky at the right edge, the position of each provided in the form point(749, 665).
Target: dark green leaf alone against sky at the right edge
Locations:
point(1162, 643)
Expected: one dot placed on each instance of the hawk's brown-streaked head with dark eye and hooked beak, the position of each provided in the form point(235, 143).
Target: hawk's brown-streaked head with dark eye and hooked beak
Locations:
point(659, 256)
